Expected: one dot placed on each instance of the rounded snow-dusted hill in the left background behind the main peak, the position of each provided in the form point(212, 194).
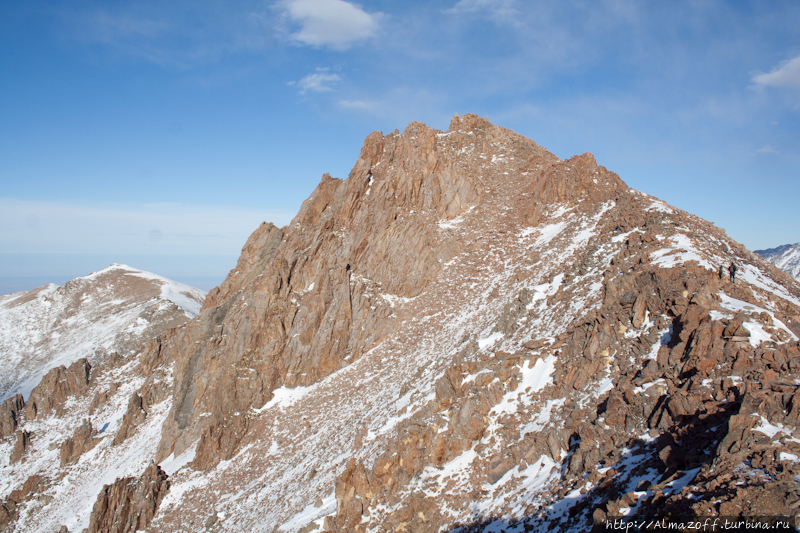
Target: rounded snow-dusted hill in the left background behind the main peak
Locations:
point(114, 310)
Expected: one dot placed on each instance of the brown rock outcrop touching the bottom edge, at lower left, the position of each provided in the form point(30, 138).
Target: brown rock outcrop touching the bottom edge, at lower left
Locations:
point(129, 504)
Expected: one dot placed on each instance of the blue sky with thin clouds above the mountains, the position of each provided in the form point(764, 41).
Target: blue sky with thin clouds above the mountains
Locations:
point(160, 134)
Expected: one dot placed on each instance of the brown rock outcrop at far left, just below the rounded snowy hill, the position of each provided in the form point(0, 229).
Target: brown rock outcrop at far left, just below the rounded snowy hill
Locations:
point(49, 396)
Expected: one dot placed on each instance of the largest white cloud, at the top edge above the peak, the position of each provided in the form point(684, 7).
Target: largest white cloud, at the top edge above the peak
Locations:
point(333, 23)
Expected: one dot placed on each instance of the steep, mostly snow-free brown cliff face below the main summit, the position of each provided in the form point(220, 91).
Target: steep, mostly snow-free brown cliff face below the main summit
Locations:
point(308, 299)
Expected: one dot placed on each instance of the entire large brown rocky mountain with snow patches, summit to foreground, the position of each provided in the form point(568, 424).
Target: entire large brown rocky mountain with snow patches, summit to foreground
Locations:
point(466, 334)
